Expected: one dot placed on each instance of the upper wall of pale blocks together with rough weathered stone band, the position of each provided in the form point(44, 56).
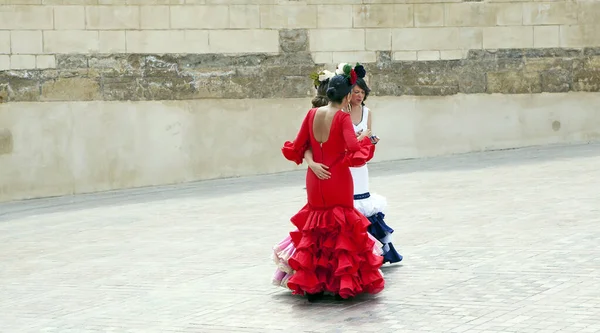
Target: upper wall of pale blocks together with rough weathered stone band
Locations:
point(161, 49)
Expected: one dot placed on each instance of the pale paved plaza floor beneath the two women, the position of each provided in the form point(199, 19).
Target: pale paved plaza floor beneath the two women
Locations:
point(504, 241)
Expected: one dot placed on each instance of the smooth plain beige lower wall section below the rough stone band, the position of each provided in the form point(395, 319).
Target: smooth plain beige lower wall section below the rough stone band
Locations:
point(60, 148)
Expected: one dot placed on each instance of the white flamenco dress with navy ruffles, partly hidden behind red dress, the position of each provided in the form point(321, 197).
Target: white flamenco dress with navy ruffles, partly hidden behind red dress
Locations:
point(372, 205)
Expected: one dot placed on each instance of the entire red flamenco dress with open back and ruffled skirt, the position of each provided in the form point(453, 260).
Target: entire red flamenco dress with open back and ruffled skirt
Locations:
point(333, 251)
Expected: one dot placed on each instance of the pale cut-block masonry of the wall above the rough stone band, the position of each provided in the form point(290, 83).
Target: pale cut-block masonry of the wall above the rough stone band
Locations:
point(33, 32)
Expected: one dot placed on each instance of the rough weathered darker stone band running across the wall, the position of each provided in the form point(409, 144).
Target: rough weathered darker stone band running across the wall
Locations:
point(138, 77)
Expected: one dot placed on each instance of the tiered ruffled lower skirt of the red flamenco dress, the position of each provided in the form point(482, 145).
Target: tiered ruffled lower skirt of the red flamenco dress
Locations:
point(333, 253)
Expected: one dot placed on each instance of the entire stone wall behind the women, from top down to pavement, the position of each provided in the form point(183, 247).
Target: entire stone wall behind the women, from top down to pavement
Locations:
point(106, 94)
